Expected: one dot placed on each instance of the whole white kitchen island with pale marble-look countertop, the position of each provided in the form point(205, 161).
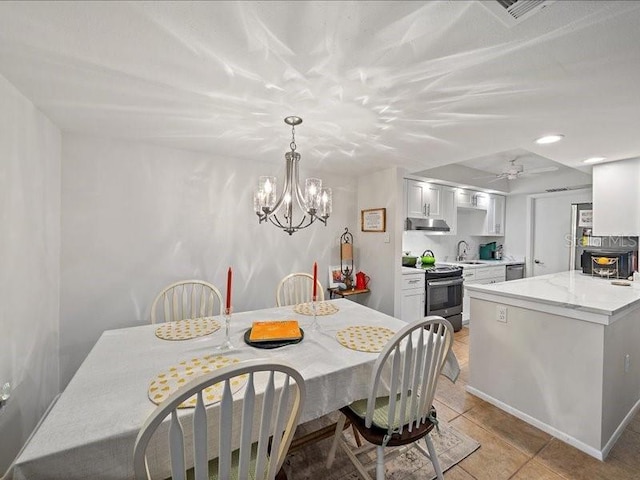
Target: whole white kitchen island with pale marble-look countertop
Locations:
point(561, 352)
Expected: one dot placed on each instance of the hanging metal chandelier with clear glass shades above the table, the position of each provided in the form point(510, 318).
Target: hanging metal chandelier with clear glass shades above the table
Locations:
point(315, 201)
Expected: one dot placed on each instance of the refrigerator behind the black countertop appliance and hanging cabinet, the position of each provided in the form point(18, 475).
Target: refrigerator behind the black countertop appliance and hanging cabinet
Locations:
point(582, 238)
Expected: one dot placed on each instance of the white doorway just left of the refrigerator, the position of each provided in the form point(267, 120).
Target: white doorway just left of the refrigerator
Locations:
point(549, 237)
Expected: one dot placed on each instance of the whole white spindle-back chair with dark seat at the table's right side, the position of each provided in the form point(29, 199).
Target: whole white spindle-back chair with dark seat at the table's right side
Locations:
point(399, 409)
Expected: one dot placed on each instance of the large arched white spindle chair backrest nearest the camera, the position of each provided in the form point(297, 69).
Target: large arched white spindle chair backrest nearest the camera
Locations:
point(269, 414)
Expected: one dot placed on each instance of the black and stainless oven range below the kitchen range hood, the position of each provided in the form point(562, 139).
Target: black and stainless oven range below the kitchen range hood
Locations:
point(444, 293)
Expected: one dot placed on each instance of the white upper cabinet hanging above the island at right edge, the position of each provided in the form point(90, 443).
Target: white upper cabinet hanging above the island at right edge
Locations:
point(616, 198)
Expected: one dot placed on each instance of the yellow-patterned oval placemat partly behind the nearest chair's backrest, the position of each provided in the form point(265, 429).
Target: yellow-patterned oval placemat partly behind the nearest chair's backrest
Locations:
point(165, 383)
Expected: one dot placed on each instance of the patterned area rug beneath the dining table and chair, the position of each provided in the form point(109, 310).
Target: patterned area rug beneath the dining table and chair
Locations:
point(308, 463)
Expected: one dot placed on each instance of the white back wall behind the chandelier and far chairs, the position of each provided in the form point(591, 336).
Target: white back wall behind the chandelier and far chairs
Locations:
point(137, 217)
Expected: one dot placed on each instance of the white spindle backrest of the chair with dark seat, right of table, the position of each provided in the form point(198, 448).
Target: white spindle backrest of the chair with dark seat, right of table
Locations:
point(412, 360)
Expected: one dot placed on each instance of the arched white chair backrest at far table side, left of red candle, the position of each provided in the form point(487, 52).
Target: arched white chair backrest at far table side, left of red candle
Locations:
point(186, 299)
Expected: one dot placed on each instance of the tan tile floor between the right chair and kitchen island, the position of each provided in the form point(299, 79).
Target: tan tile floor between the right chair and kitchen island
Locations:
point(512, 449)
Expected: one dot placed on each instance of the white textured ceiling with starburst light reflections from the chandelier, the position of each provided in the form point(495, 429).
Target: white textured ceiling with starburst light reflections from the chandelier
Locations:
point(417, 84)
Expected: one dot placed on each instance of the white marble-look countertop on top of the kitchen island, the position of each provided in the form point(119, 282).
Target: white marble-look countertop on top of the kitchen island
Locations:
point(568, 290)
